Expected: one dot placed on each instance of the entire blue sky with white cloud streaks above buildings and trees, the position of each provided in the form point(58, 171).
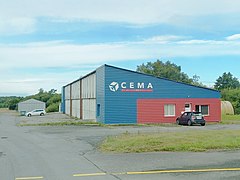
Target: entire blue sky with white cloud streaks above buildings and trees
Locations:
point(49, 43)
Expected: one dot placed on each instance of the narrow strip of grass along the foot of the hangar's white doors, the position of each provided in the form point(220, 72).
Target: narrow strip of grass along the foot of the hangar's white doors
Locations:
point(64, 123)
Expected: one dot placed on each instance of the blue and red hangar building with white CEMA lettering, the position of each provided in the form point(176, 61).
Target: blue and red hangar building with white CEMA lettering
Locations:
point(113, 95)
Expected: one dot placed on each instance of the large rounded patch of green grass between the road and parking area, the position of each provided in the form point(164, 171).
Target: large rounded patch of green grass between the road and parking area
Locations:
point(195, 141)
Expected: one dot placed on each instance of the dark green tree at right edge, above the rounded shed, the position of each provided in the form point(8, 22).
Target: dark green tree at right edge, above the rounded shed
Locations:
point(227, 81)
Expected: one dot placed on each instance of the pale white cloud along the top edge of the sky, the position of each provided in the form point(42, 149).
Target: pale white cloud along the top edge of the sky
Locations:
point(20, 15)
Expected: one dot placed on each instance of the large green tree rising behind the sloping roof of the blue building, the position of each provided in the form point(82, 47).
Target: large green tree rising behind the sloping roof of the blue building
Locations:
point(165, 70)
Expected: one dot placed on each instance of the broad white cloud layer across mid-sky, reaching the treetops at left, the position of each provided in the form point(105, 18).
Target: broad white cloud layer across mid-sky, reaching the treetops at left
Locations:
point(85, 58)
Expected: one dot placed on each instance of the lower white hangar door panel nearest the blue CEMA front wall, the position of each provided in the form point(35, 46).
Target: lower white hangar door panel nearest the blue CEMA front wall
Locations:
point(89, 109)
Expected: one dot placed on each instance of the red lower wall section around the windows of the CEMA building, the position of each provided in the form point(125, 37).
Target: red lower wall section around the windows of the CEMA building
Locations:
point(152, 110)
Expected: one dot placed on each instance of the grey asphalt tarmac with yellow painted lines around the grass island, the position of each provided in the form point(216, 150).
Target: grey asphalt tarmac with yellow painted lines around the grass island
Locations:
point(71, 153)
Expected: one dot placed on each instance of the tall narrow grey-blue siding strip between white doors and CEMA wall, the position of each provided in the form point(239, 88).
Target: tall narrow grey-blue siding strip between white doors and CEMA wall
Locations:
point(100, 96)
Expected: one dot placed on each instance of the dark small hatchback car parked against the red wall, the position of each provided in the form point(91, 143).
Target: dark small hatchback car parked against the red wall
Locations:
point(190, 118)
